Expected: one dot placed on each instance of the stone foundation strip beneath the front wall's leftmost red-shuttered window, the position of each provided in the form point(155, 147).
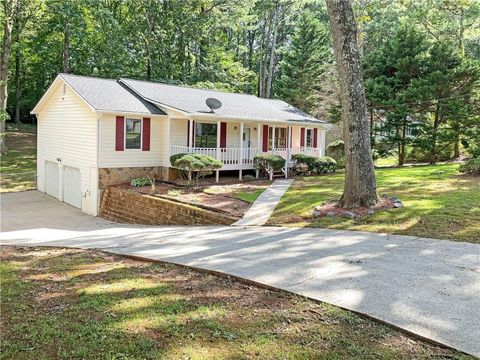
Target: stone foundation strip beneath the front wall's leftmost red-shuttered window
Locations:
point(115, 176)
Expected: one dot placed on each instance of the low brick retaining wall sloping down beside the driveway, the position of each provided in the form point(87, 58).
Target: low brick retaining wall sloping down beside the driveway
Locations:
point(126, 206)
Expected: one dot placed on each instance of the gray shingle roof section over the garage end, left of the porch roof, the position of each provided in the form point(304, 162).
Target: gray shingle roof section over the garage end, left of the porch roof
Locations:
point(109, 95)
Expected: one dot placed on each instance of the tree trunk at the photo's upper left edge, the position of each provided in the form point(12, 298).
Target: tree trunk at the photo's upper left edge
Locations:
point(4, 57)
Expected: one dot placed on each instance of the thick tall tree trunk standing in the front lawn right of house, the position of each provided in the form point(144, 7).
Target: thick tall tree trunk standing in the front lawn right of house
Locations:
point(360, 185)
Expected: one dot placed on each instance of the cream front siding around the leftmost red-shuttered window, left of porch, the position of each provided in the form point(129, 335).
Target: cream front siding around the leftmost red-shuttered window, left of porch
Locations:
point(109, 158)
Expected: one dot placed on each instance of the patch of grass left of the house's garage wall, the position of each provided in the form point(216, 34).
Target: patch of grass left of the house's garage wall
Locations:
point(18, 164)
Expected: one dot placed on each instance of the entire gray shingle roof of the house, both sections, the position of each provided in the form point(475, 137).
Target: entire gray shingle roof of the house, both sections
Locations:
point(140, 97)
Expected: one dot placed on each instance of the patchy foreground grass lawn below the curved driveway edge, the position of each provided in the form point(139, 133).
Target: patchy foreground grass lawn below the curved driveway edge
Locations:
point(79, 304)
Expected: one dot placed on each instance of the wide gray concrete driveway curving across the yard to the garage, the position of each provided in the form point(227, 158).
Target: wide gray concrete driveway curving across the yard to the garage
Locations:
point(428, 287)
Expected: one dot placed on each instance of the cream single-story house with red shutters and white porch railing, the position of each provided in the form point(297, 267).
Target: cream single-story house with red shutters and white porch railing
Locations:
point(96, 132)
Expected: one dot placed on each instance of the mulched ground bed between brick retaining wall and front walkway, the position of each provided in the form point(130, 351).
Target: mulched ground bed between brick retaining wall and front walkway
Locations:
point(232, 197)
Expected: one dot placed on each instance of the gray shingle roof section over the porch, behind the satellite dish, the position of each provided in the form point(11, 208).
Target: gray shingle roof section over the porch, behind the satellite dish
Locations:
point(192, 100)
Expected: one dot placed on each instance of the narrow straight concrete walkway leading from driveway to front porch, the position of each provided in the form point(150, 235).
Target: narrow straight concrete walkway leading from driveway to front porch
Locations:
point(262, 208)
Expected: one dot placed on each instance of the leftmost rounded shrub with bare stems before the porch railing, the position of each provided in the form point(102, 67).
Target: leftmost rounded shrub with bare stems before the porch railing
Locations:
point(195, 165)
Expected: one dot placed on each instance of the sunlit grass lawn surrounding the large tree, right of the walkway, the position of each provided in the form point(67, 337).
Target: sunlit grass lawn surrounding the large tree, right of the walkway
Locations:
point(438, 203)
